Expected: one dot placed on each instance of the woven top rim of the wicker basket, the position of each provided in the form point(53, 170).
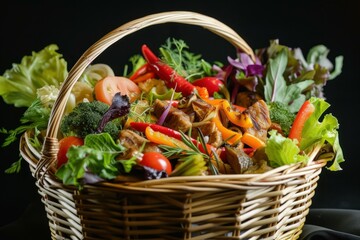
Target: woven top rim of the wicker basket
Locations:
point(275, 176)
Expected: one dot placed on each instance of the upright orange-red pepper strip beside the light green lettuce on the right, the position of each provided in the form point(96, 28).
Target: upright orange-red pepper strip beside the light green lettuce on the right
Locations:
point(303, 114)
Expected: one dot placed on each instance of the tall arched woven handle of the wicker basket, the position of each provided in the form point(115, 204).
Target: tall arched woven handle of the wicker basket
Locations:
point(50, 146)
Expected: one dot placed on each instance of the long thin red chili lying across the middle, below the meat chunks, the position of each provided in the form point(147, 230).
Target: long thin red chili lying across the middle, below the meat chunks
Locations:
point(141, 126)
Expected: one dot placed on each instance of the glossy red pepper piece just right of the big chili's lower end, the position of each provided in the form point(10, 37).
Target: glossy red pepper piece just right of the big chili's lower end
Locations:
point(212, 84)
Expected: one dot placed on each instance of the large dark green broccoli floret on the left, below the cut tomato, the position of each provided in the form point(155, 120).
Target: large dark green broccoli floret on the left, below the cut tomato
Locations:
point(85, 119)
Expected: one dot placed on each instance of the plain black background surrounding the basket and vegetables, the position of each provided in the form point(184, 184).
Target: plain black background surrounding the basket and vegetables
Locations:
point(76, 25)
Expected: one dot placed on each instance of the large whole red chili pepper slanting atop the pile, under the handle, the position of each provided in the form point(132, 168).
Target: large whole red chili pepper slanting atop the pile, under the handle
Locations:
point(168, 74)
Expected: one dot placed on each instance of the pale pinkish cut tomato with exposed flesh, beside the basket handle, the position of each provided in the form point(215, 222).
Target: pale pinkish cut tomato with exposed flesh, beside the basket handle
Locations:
point(106, 88)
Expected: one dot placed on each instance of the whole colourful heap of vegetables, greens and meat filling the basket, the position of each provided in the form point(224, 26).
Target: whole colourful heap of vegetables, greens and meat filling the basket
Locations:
point(176, 114)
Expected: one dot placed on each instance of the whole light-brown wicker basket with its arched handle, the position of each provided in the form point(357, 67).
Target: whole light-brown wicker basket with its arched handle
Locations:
point(272, 205)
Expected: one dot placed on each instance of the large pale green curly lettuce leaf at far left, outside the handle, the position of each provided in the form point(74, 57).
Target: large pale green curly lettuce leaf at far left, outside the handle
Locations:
point(18, 85)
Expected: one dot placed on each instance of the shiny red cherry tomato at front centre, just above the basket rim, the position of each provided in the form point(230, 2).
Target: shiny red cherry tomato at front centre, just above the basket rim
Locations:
point(156, 161)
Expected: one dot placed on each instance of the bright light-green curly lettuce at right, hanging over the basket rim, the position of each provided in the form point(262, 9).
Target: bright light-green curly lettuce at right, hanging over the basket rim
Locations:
point(281, 150)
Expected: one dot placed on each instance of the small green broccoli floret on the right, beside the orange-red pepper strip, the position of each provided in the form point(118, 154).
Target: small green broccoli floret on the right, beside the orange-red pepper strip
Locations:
point(280, 114)
